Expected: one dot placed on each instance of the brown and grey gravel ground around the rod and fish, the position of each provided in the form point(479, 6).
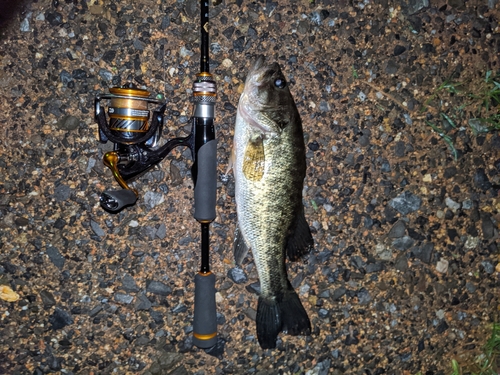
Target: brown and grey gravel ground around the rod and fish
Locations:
point(405, 270)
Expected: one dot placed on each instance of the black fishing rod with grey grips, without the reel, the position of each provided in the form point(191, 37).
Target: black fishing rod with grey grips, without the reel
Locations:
point(204, 176)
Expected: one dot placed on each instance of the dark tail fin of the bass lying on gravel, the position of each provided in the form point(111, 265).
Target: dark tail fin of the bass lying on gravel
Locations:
point(284, 313)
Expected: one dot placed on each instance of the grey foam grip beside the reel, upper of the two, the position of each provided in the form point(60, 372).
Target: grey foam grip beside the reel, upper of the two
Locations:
point(206, 182)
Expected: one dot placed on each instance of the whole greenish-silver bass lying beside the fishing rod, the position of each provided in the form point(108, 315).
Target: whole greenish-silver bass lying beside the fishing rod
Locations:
point(269, 167)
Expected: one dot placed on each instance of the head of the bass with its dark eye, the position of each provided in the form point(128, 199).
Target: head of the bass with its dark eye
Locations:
point(266, 102)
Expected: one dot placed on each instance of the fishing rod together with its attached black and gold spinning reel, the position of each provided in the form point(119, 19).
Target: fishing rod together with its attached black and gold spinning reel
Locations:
point(135, 133)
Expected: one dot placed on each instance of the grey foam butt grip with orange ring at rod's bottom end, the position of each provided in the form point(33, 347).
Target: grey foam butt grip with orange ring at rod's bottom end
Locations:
point(205, 315)
